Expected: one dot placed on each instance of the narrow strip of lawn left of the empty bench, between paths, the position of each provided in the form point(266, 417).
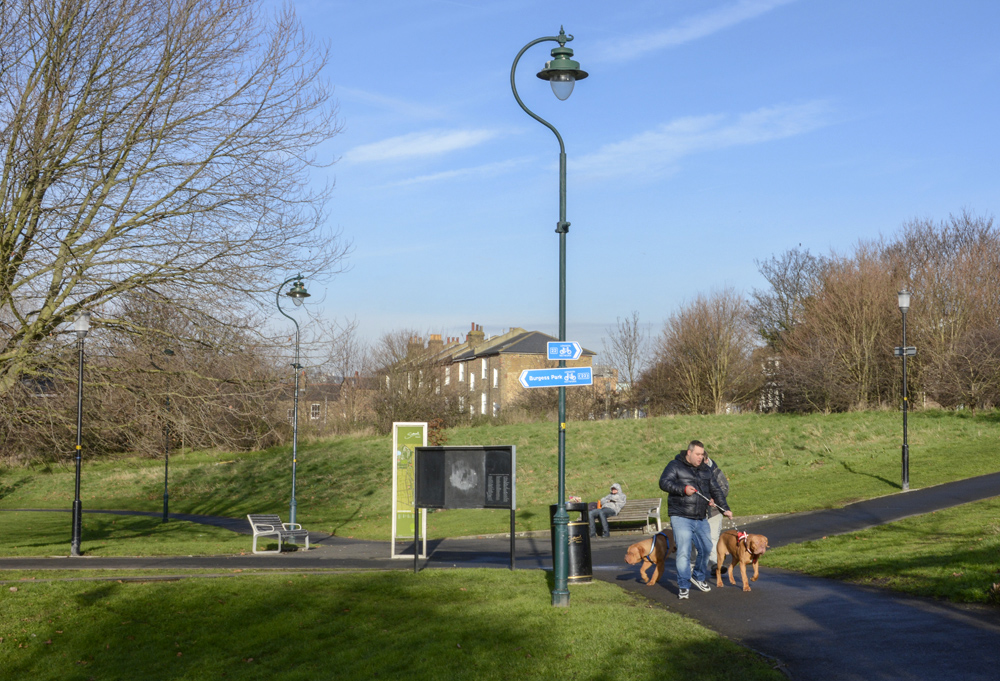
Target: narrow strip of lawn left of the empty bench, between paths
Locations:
point(49, 534)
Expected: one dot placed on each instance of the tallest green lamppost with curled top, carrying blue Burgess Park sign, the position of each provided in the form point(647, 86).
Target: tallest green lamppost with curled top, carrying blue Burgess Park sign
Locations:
point(562, 73)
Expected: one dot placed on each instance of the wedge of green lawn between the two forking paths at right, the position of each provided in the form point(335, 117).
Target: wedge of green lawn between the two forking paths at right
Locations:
point(952, 554)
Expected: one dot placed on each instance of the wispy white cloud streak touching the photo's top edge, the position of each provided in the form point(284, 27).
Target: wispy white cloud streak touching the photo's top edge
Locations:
point(690, 29)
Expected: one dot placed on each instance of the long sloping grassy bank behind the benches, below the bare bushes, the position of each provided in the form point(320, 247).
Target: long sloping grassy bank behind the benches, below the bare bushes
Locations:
point(775, 463)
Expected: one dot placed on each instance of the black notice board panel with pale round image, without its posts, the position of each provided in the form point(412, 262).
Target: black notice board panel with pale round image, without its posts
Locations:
point(466, 477)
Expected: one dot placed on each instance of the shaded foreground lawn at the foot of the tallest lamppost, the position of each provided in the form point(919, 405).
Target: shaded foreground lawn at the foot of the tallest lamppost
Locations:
point(469, 624)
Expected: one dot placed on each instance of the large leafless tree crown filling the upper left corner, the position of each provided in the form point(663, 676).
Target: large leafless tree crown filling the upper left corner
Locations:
point(152, 149)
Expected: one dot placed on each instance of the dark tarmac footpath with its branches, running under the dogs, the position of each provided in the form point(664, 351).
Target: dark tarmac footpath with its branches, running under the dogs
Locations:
point(814, 628)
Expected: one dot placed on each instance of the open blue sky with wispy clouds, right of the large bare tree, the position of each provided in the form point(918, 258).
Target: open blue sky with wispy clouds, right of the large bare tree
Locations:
point(709, 134)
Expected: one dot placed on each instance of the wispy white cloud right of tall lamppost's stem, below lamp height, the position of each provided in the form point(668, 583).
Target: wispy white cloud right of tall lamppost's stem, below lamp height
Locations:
point(658, 151)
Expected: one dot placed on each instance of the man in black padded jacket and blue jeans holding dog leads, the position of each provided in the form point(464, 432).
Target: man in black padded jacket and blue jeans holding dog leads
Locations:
point(691, 489)
